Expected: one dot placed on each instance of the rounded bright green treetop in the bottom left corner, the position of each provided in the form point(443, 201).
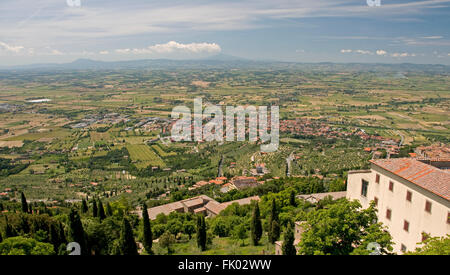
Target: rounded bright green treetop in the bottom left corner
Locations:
point(25, 246)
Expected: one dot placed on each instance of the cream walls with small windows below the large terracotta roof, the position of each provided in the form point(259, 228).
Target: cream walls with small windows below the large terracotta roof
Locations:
point(408, 204)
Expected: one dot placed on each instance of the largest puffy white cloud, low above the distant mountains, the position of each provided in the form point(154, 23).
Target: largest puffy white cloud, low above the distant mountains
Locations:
point(174, 47)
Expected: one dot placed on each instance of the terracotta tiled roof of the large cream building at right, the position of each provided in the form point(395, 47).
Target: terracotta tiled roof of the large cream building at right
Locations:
point(426, 176)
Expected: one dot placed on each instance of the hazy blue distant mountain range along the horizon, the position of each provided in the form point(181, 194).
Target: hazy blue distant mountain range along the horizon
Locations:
point(223, 61)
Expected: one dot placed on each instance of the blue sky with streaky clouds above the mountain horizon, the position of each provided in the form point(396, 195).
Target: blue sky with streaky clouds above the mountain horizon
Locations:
point(390, 31)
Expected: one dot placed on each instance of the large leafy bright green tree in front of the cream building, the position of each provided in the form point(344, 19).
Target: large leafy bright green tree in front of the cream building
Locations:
point(343, 228)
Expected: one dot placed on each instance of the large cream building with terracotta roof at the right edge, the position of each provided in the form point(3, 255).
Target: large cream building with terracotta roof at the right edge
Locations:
point(411, 197)
